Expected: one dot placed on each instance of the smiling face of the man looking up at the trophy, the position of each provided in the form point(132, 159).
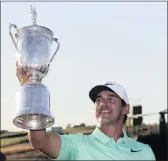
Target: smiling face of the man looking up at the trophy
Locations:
point(108, 108)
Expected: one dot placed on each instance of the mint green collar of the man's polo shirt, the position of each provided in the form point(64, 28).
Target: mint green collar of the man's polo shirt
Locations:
point(99, 135)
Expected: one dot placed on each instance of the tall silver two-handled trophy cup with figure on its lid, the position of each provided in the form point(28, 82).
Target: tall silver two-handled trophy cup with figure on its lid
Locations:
point(33, 44)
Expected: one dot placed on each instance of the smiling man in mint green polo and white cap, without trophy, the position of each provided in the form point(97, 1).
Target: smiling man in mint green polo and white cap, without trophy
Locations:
point(107, 142)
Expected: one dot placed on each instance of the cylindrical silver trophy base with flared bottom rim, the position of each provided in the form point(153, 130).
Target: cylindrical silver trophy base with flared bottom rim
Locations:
point(33, 113)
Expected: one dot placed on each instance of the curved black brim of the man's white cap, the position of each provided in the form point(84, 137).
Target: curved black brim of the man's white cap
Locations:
point(96, 90)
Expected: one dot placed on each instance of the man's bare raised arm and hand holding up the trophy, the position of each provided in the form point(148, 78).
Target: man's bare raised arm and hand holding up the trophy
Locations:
point(48, 143)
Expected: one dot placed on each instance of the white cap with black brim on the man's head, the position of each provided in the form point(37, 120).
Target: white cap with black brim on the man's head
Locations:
point(112, 86)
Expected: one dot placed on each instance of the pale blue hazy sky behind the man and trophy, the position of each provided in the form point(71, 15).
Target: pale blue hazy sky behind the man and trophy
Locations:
point(123, 42)
